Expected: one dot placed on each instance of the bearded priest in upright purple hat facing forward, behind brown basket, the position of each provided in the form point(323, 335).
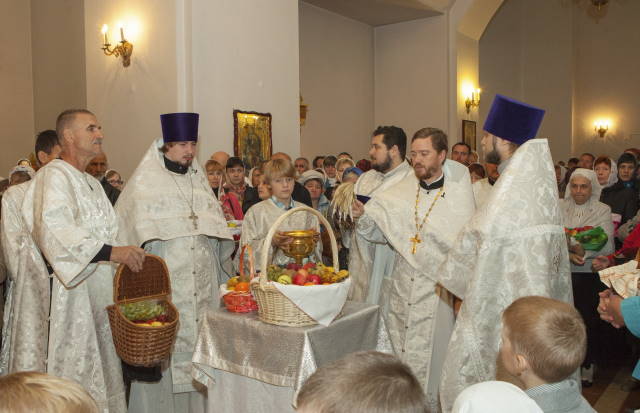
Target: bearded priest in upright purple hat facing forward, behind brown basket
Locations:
point(168, 208)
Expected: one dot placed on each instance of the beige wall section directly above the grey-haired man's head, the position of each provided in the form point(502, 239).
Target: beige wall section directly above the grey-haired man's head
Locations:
point(59, 82)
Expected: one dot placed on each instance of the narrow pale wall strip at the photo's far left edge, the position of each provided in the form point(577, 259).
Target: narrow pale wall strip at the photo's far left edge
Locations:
point(16, 99)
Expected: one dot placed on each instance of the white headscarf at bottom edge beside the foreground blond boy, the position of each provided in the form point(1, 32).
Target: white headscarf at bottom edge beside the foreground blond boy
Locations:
point(494, 397)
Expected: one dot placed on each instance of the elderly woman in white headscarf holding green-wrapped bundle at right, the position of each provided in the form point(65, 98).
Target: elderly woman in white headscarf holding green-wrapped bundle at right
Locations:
point(581, 207)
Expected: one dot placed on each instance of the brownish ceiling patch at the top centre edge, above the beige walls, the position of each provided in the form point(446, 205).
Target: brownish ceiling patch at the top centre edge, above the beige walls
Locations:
point(381, 12)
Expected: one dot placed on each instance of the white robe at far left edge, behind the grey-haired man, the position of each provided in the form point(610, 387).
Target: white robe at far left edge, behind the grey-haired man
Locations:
point(26, 326)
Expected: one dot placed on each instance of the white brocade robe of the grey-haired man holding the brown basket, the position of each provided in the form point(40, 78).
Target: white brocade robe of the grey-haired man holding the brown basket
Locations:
point(70, 219)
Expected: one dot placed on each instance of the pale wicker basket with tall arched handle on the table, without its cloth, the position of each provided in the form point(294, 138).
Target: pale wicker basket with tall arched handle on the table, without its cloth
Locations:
point(273, 306)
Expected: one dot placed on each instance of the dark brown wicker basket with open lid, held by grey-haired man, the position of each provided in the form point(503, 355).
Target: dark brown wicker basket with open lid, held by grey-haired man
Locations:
point(136, 344)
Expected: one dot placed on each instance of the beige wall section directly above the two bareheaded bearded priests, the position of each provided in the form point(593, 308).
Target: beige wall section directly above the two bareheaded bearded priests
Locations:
point(412, 74)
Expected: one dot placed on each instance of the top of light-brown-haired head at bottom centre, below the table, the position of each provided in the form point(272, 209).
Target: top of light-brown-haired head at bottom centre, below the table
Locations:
point(365, 382)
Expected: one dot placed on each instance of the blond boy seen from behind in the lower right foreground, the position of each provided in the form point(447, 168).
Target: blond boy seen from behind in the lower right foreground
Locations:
point(543, 344)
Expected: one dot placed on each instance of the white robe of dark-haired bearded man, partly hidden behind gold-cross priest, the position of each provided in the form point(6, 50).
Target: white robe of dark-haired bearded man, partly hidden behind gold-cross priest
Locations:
point(362, 254)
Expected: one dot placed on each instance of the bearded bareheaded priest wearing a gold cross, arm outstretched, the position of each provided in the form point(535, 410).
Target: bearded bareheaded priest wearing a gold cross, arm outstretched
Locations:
point(418, 219)
